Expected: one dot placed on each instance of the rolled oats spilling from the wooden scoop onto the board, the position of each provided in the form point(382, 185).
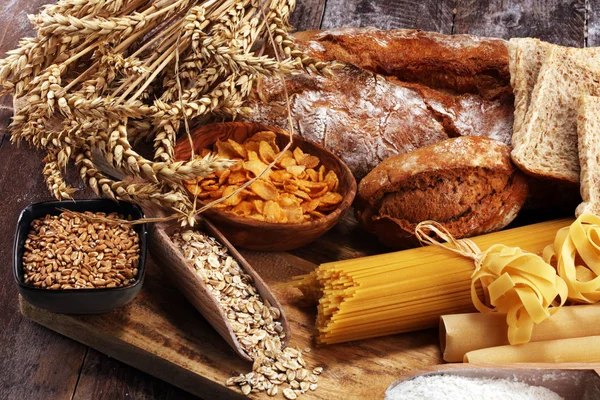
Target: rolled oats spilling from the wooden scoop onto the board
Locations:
point(253, 320)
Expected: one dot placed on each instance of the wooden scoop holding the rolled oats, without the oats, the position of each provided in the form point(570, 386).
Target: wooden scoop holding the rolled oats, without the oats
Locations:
point(193, 287)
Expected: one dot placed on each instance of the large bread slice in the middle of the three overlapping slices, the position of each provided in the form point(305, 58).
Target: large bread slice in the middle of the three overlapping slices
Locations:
point(547, 143)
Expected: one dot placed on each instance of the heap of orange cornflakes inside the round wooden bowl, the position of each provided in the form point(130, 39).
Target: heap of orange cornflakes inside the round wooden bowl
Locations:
point(293, 191)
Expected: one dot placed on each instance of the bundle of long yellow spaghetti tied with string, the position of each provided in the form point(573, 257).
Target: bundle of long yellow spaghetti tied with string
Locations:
point(407, 290)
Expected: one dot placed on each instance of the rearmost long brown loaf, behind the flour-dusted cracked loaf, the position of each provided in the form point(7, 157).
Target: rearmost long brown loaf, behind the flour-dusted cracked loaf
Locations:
point(459, 63)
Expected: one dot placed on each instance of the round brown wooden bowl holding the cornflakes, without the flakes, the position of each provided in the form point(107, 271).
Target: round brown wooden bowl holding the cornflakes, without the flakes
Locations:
point(265, 236)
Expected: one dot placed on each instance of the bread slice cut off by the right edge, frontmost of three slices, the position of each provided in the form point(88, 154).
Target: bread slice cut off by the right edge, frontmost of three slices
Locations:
point(588, 134)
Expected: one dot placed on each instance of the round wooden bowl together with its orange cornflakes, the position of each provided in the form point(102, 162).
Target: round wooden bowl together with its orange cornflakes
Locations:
point(303, 196)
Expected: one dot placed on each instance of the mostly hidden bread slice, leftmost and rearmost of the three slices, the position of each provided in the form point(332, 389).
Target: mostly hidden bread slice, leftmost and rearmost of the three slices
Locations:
point(526, 56)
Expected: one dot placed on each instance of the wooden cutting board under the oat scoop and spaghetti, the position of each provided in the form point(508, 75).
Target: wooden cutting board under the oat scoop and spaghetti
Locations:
point(162, 334)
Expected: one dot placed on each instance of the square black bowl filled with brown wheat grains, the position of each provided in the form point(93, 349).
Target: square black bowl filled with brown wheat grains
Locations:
point(66, 263)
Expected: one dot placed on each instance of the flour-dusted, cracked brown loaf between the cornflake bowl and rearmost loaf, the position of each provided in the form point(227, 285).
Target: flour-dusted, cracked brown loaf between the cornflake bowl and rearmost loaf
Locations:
point(364, 118)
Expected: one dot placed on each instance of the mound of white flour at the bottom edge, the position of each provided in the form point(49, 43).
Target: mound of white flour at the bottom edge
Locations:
point(449, 387)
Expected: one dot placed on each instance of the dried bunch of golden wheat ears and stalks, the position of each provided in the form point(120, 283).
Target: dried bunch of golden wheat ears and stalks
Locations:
point(104, 74)
